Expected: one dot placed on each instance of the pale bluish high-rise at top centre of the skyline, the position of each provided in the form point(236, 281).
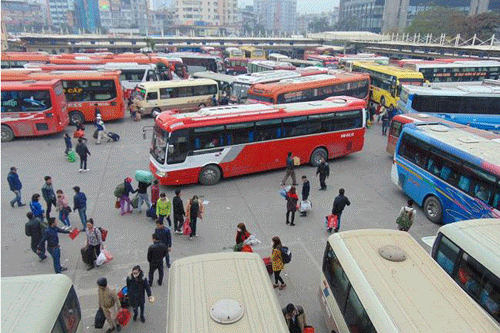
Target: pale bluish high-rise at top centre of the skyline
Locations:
point(276, 15)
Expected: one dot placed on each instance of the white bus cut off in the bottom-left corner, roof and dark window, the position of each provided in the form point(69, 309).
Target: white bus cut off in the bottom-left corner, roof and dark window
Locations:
point(40, 303)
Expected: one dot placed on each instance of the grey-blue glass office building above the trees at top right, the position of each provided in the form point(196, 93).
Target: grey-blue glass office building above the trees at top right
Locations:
point(394, 15)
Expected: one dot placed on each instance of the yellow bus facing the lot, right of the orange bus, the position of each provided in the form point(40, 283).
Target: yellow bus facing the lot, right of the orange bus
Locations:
point(386, 81)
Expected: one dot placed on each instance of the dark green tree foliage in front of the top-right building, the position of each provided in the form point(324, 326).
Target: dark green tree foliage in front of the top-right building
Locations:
point(439, 20)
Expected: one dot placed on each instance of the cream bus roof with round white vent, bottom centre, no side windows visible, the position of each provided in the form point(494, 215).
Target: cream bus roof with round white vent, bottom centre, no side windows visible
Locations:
point(222, 293)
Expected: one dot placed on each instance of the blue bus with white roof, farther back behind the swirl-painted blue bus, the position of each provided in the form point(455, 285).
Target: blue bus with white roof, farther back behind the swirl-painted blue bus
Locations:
point(474, 104)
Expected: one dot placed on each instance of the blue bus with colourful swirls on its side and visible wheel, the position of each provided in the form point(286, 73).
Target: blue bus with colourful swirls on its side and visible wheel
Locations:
point(453, 174)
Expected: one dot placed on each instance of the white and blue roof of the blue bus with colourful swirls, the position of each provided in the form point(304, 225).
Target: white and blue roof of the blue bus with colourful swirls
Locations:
point(480, 148)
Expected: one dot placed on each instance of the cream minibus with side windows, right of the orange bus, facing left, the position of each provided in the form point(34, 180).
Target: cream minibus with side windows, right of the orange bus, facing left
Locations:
point(184, 95)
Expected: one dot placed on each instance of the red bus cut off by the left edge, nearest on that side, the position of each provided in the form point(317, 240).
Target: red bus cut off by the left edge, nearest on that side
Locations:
point(32, 108)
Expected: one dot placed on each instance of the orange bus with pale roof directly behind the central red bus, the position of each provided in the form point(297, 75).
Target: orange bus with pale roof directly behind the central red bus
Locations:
point(311, 88)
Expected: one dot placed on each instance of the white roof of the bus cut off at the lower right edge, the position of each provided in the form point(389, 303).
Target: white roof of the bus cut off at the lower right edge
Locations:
point(479, 238)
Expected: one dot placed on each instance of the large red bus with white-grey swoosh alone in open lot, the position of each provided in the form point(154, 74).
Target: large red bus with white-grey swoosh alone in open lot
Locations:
point(227, 141)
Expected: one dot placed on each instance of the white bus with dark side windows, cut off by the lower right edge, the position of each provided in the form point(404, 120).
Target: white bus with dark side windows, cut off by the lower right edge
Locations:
point(469, 252)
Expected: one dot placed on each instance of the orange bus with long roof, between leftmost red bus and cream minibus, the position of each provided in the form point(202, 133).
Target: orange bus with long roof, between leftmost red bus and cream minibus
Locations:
point(84, 91)
